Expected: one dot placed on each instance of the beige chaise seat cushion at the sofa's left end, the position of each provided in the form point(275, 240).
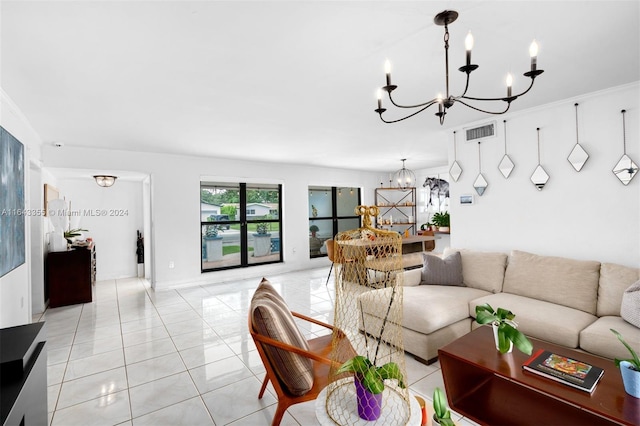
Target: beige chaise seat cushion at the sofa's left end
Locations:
point(428, 308)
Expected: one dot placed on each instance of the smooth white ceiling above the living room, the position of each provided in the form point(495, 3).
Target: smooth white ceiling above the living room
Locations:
point(292, 81)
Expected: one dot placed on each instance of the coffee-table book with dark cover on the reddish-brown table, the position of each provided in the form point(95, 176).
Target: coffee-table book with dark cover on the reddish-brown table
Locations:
point(571, 372)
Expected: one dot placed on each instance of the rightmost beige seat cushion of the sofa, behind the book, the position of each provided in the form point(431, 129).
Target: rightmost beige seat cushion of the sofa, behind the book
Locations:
point(597, 338)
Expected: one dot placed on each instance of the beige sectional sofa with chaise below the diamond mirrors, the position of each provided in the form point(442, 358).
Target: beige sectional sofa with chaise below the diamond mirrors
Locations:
point(569, 302)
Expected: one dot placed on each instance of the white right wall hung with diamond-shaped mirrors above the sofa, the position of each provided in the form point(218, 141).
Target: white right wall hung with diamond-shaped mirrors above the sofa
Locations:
point(585, 215)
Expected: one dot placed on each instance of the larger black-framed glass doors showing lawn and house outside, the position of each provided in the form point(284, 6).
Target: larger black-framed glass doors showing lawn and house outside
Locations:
point(240, 224)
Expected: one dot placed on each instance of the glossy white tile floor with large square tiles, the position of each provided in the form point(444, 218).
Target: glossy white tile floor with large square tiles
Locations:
point(135, 356)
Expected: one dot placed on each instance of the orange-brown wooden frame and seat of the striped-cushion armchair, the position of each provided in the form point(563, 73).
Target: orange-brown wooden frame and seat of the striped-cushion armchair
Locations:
point(318, 353)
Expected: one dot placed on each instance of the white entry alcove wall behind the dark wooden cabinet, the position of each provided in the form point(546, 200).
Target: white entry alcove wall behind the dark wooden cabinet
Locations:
point(112, 216)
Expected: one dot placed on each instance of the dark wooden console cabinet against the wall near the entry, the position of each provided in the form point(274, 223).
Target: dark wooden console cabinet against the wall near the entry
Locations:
point(70, 276)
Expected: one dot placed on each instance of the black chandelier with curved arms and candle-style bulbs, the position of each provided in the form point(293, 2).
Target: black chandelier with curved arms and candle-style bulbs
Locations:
point(444, 103)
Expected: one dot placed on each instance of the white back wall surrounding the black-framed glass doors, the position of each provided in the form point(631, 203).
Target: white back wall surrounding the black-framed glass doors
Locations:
point(175, 205)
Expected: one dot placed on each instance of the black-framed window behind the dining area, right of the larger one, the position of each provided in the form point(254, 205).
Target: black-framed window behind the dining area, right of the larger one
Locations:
point(331, 210)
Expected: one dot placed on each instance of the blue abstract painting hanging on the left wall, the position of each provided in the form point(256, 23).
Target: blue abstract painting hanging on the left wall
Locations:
point(12, 230)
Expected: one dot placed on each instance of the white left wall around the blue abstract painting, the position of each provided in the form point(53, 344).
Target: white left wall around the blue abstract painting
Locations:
point(15, 287)
